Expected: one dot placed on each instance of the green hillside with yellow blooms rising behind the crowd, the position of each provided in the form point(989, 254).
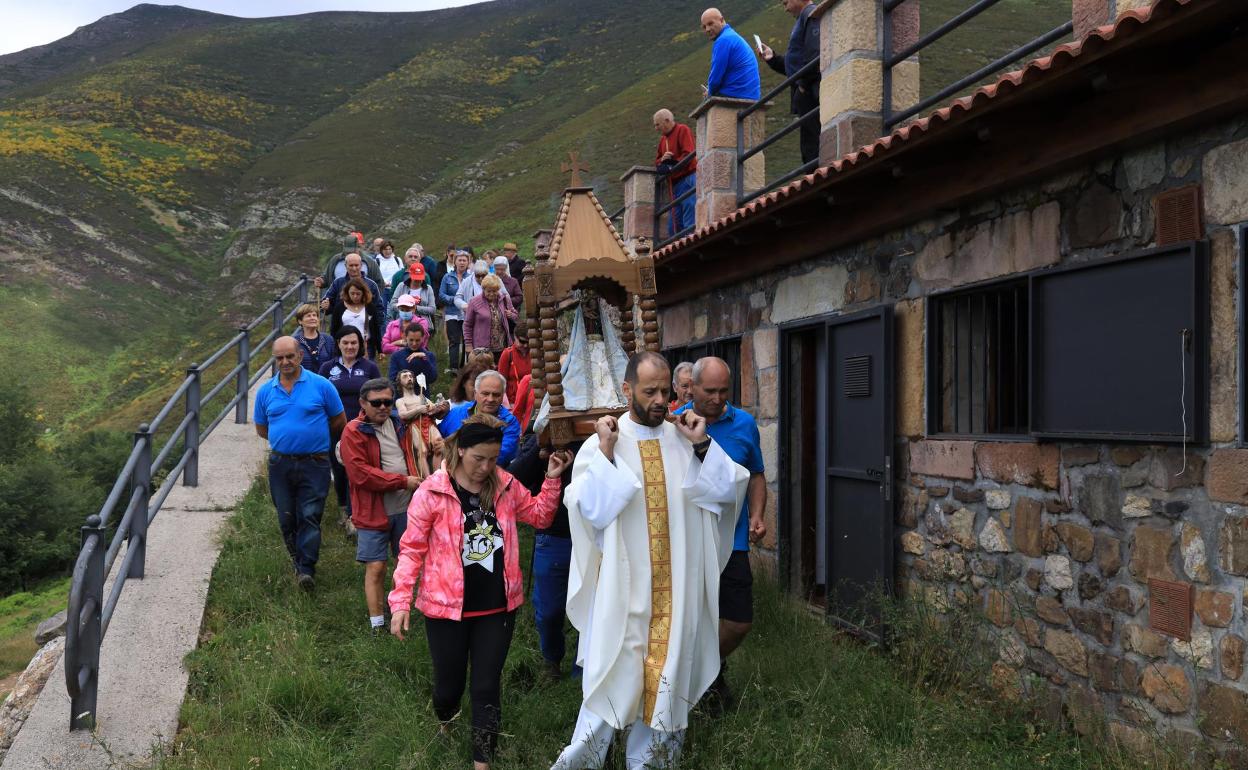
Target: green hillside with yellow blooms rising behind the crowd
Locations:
point(164, 172)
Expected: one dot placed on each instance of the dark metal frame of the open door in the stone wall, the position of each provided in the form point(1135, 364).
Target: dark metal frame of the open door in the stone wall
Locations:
point(824, 325)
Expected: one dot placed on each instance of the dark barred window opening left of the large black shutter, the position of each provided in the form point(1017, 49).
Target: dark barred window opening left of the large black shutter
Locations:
point(978, 361)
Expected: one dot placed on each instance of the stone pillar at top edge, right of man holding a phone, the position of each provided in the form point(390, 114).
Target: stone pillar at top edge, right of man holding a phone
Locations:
point(852, 66)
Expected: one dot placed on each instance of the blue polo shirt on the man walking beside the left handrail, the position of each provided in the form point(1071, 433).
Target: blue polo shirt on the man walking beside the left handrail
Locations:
point(299, 422)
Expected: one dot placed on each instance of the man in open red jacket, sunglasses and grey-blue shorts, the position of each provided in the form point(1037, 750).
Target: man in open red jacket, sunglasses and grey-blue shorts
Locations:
point(381, 467)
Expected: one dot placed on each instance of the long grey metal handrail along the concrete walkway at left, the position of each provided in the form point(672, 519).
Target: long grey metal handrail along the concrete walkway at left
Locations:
point(89, 612)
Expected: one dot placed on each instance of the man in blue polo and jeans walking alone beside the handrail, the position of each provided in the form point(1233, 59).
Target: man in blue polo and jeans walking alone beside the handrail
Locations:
point(301, 415)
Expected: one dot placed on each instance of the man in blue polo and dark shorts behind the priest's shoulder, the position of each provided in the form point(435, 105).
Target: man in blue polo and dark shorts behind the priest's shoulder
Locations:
point(737, 432)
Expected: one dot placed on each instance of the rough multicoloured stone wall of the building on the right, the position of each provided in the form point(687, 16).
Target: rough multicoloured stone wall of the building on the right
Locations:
point(1055, 541)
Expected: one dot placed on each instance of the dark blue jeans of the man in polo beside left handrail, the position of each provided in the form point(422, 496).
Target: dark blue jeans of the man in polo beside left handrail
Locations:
point(299, 489)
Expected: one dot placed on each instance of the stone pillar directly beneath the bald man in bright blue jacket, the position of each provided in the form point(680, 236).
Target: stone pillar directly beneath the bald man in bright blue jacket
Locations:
point(717, 155)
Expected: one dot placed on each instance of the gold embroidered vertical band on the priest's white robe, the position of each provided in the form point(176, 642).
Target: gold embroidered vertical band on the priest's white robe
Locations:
point(661, 571)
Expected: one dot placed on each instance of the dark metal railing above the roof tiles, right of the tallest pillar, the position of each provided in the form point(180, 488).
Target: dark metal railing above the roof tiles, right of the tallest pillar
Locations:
point(893, 59)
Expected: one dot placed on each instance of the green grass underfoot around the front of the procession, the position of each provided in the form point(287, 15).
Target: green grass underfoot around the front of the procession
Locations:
point(291, 681)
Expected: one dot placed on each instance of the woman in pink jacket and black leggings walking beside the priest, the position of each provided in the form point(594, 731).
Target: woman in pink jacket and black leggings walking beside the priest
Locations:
point(461, 541)
